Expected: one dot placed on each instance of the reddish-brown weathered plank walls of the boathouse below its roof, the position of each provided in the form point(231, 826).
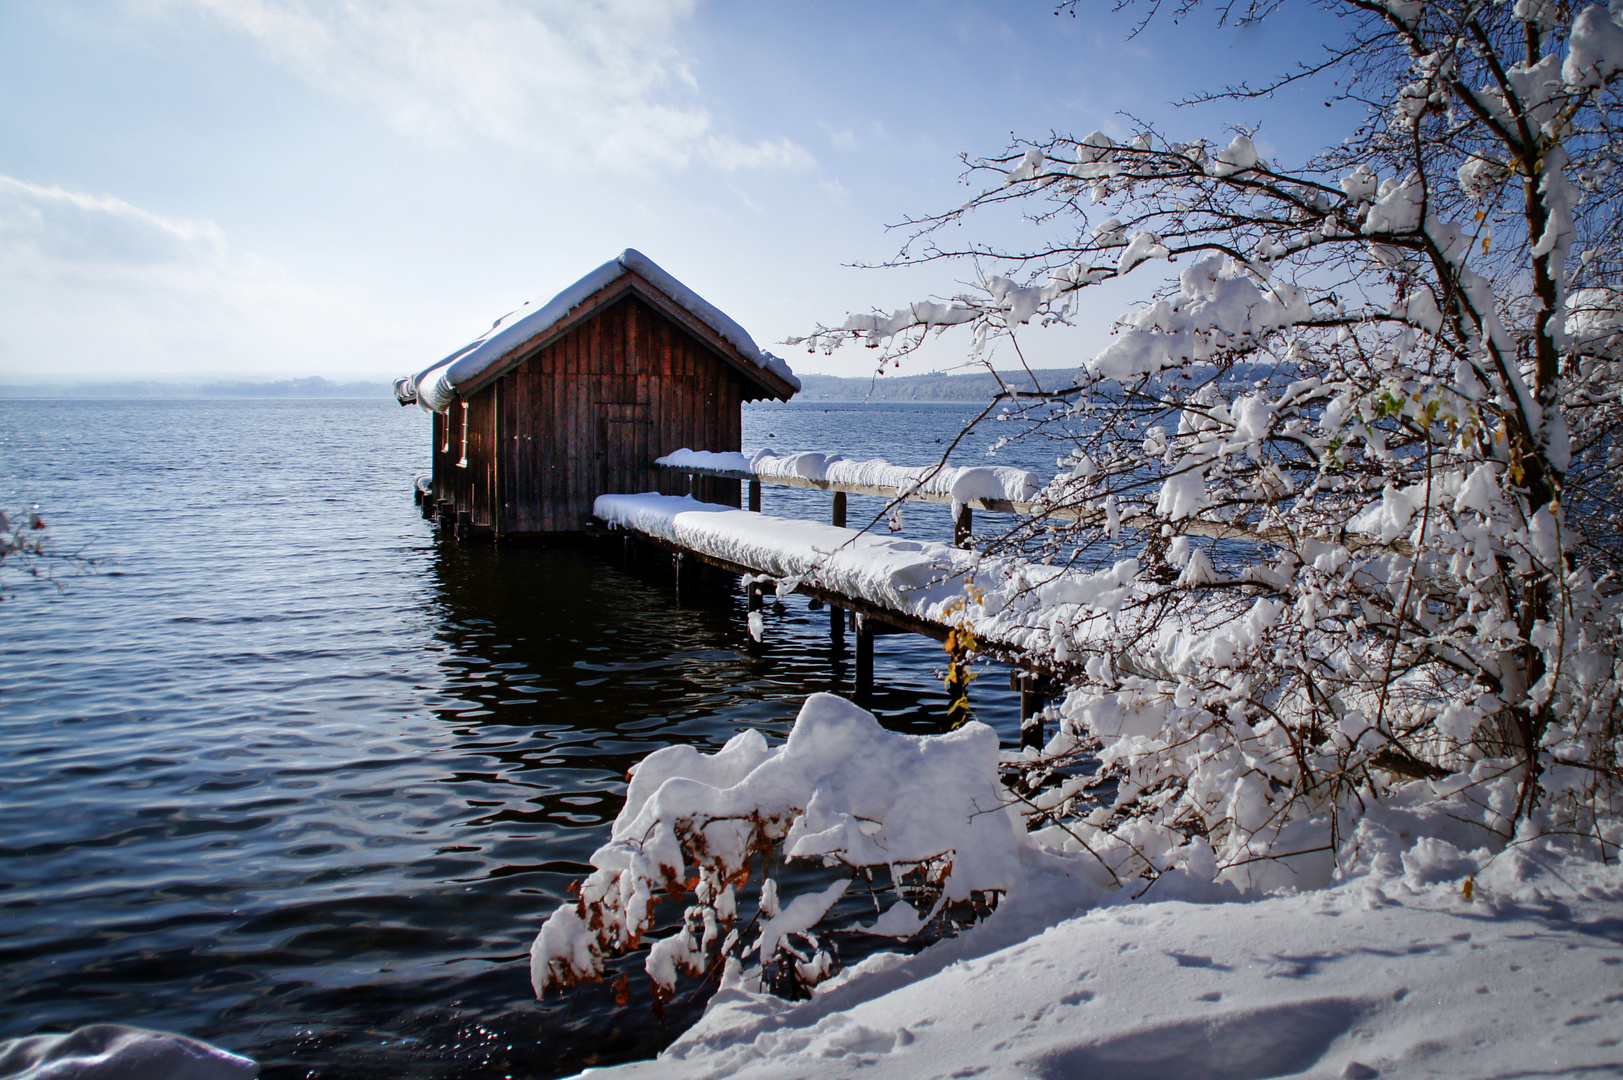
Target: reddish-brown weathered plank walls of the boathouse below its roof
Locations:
point(587, 410)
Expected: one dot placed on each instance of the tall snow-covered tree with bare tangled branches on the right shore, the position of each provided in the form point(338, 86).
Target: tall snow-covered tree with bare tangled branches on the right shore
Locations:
point(1354, 459)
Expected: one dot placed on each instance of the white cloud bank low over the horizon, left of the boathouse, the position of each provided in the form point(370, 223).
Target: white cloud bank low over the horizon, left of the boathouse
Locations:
point(93, 287)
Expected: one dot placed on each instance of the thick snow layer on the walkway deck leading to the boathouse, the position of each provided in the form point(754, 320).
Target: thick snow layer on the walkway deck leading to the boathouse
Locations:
point(1007, 602)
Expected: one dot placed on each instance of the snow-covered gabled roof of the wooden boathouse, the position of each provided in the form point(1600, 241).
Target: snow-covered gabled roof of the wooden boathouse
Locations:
point(437, 386)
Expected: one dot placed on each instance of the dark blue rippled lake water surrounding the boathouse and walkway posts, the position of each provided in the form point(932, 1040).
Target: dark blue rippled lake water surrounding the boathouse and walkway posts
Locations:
point(290, 774)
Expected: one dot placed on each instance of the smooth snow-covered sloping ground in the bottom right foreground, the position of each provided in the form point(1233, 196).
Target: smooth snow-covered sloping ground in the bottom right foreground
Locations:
point(1392, 975)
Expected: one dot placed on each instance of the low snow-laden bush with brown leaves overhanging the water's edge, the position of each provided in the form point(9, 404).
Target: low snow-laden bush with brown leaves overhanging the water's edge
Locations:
point(842, 792)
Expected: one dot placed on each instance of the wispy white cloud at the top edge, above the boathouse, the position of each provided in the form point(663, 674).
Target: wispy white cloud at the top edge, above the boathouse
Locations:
point(582, 84)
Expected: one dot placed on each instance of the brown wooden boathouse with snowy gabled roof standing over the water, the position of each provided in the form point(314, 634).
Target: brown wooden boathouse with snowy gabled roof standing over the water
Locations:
point(570, 399)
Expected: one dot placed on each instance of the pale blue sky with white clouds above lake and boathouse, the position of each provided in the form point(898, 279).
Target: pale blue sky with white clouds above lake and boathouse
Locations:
point(353, 189)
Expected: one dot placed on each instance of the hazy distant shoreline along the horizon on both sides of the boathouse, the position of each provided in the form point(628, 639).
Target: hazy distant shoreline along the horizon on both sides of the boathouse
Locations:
point(931, 387)
